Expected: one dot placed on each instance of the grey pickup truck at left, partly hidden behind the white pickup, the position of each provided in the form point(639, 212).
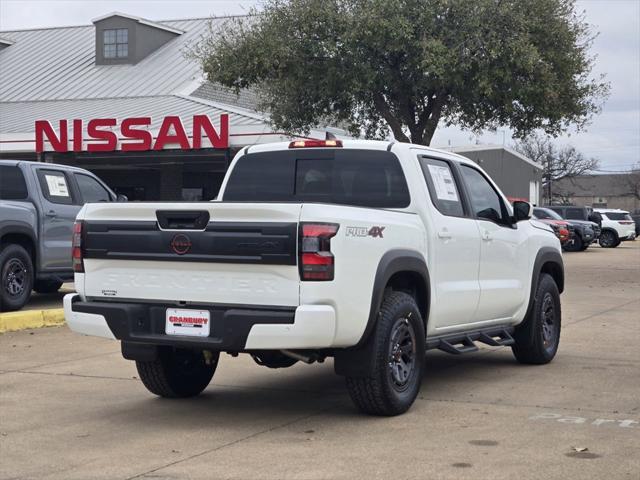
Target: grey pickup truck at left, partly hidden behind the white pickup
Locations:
point(38, 205)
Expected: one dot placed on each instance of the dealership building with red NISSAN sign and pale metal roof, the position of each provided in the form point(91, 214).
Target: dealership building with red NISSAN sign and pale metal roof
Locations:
point(123, 98)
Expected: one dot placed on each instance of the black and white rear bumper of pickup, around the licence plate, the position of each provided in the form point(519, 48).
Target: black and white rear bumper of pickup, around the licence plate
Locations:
point(233, 328)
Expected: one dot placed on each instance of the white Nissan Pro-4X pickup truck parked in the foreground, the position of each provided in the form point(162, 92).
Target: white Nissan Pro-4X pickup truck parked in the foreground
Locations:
point(367, 252)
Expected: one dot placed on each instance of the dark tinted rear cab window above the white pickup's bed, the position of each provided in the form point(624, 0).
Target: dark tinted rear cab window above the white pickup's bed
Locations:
point(366, 178)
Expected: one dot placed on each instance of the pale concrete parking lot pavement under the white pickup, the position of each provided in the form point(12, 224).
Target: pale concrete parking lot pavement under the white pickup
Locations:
point(72, 408)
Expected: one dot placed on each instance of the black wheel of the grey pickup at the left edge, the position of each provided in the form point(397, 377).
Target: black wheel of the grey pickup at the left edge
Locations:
point(16, 277)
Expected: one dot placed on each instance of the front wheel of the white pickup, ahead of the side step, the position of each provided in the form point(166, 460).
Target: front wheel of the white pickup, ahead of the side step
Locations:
point(537, 339)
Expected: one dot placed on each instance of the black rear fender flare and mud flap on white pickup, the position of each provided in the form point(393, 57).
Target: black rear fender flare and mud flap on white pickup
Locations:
point(356, 361)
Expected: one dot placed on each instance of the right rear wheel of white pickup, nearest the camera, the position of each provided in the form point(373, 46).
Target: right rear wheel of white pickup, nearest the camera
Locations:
point(379, 394)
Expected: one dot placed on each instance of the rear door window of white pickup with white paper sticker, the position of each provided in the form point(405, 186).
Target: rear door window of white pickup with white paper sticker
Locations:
point(442, 186)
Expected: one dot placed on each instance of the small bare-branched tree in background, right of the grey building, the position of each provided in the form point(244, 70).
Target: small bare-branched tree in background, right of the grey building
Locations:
point(558, 163)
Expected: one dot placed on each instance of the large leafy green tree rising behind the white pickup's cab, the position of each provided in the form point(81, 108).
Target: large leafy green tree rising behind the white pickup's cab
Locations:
point(407, 65)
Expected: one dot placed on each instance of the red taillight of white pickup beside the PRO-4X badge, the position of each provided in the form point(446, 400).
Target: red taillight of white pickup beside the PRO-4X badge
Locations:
point(316, 260)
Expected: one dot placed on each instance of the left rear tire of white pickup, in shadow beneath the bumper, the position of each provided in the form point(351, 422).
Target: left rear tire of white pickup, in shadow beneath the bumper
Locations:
point(177, 373)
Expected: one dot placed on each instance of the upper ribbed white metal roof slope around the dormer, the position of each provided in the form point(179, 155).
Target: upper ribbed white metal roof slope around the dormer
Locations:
point(59, 64)
